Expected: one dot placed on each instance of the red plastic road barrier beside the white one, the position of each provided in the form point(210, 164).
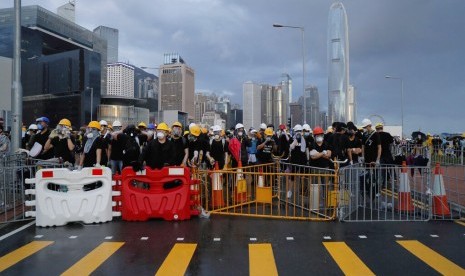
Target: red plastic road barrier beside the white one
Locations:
point(161, 193)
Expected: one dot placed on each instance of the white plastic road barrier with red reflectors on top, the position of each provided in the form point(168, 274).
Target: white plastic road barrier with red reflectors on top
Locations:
point(63, 196)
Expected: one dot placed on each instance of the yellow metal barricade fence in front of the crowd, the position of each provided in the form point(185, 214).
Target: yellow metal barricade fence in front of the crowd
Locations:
point(275, 190)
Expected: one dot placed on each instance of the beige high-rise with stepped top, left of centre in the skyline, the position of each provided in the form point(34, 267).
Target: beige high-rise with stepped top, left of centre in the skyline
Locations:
point(177, 86)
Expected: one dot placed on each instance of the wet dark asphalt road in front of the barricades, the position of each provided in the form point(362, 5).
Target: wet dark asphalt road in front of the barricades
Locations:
point(223, 246)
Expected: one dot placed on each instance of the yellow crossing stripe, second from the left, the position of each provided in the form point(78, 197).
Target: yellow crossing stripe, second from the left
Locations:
point(94, 259)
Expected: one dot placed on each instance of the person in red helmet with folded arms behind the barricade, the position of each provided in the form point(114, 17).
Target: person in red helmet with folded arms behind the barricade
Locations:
point(320, 151)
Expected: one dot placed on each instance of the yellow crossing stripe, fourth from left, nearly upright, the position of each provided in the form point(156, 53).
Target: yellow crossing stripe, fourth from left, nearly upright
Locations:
point(261, 260)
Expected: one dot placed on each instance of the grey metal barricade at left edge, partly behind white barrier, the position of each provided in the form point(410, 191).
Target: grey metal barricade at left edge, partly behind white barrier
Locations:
point(14, 169)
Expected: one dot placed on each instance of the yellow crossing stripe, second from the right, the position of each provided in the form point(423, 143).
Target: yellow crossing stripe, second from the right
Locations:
point(346, 259)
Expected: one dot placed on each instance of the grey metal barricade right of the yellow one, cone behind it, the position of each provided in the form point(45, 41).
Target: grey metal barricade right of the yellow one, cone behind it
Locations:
point(384, 193)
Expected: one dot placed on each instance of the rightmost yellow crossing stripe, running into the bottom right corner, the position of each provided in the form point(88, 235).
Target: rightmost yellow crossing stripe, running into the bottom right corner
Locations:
point(432, 258)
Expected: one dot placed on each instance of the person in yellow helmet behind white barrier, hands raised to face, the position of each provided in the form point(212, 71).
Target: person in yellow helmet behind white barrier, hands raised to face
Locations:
point(61, 141)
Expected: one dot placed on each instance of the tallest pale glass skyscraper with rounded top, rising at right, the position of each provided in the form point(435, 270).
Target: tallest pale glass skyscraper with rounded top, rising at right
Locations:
point(338, 63)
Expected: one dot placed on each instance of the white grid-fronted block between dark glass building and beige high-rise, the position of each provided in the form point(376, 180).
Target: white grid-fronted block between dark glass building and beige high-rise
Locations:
point(120, 78)
